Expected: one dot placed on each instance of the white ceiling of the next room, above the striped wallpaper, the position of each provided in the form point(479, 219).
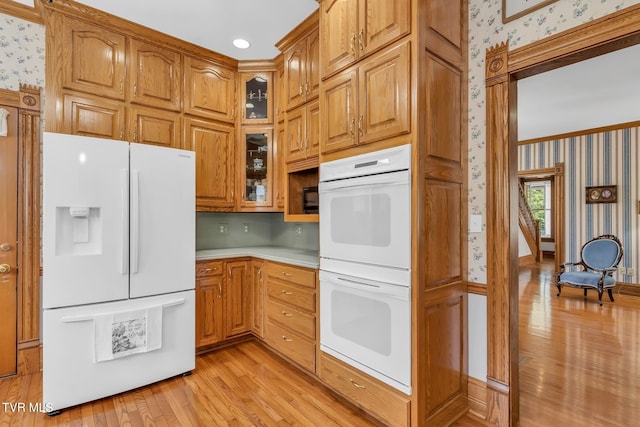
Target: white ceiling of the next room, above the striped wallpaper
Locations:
point(597, 92)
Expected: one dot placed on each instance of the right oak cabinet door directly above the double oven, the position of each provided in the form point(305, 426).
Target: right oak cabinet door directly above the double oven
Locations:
point(385, 95)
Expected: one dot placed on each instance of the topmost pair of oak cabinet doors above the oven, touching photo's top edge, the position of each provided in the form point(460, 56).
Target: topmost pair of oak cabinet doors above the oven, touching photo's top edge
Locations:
point(352, 29)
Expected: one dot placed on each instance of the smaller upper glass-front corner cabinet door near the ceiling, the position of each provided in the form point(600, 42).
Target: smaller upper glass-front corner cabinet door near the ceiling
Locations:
point(258, 103)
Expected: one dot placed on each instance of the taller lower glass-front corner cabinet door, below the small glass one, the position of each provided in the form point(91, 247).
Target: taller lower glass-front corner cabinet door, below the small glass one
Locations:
point(257, 183)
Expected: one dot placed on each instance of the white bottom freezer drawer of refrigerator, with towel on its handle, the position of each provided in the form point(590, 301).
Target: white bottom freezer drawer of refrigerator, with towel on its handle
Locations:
point(72, 373)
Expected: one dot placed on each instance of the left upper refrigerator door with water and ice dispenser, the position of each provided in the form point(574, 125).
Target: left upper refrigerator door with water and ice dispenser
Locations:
point(85, 211)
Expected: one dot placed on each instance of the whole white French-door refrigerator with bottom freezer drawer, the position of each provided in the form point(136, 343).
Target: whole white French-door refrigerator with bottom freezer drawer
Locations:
point(118, 263)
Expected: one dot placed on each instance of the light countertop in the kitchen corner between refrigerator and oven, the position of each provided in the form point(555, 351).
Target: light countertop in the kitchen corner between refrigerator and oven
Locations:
point(299, 257)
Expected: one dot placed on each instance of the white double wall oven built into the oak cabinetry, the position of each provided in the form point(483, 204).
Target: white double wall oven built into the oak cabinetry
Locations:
point(365, 263)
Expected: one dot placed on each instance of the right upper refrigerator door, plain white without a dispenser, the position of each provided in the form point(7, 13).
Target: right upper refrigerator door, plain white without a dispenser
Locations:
point(162, 220)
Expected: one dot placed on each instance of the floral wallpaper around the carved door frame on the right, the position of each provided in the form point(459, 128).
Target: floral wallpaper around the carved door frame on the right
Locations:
point(485, 31)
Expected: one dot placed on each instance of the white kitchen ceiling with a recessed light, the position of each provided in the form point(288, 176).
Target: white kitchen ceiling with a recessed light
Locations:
point(214, 24)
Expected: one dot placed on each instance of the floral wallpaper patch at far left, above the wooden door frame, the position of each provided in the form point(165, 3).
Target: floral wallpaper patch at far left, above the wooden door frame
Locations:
point(22, 53)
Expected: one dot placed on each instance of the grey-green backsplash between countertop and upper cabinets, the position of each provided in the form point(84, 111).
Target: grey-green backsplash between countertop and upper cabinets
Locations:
point(232, 230)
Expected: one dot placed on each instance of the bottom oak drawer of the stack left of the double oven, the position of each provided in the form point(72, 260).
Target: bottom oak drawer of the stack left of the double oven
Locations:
point(300, 350)
